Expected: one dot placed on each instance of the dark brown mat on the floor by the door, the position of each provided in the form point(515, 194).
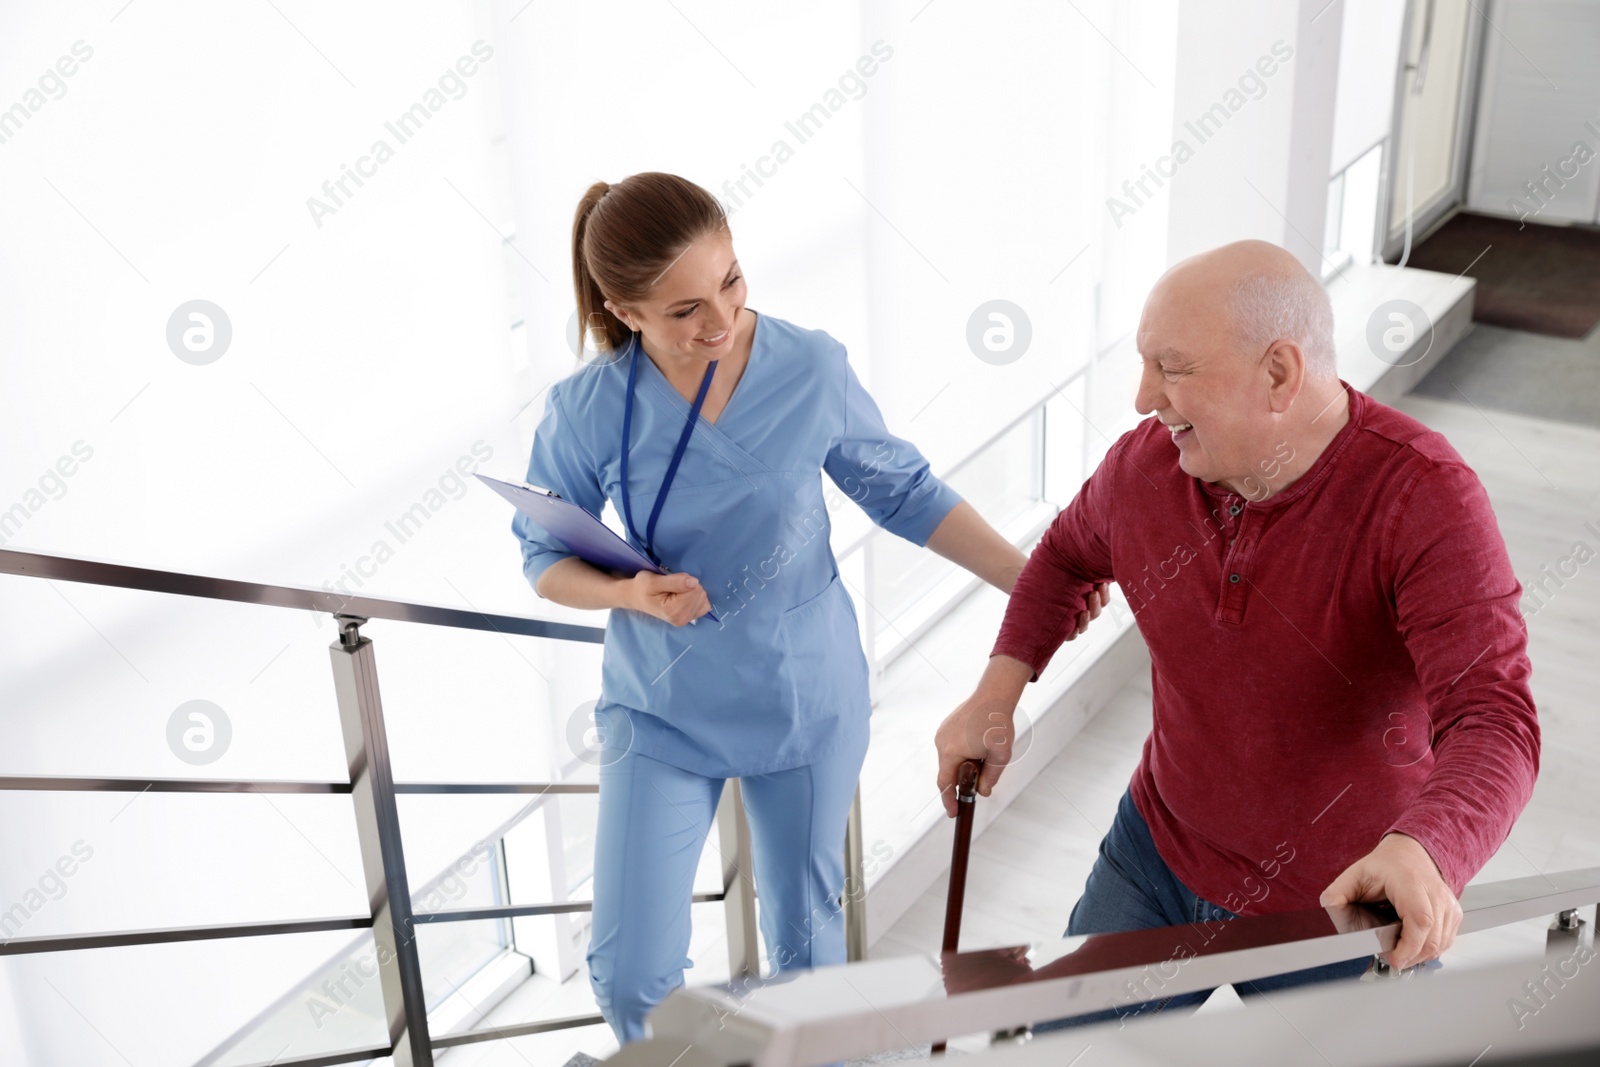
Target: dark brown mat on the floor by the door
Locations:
point(1542, 279)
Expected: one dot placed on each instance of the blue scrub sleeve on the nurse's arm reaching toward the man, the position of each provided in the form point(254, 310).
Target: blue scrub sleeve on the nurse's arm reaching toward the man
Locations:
point(886, 474)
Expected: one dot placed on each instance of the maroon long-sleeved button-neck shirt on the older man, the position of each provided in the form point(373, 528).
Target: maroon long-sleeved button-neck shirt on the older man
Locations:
point(1342, 660)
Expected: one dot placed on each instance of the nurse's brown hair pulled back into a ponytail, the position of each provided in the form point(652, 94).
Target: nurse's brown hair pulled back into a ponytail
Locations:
point(626, 238)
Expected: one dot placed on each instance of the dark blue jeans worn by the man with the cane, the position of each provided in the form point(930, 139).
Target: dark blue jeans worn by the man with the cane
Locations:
point(1132, 889)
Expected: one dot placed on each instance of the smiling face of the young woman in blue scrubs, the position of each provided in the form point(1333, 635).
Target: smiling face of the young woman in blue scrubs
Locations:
point(694, 311)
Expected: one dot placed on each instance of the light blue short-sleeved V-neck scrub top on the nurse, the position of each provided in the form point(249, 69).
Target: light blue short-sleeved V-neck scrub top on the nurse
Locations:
point(782, 681)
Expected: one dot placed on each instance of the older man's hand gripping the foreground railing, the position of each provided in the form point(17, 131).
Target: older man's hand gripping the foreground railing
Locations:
point(1402, 873)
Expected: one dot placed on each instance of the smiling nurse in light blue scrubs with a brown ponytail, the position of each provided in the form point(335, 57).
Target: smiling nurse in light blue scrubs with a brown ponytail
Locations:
point(710, 426)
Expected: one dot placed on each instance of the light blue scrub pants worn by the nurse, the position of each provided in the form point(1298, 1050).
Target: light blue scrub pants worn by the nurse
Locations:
point(652, 828)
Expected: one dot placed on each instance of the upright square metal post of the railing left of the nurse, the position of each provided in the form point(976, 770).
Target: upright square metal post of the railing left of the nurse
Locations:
point(378, 828)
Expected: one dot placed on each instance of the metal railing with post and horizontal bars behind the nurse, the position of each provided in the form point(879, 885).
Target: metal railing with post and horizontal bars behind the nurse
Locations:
point(374, 789)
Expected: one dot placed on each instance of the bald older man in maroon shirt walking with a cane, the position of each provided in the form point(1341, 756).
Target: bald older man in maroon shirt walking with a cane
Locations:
point(1342, 706)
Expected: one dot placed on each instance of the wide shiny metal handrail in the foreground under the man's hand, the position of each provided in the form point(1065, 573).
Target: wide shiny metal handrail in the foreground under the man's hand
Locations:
point(882, 1005)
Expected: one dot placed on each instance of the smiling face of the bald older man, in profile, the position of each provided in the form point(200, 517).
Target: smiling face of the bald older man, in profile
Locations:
point(1199, 382)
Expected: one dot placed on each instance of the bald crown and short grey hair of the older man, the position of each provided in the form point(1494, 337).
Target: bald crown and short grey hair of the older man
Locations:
point(1265, 295)
